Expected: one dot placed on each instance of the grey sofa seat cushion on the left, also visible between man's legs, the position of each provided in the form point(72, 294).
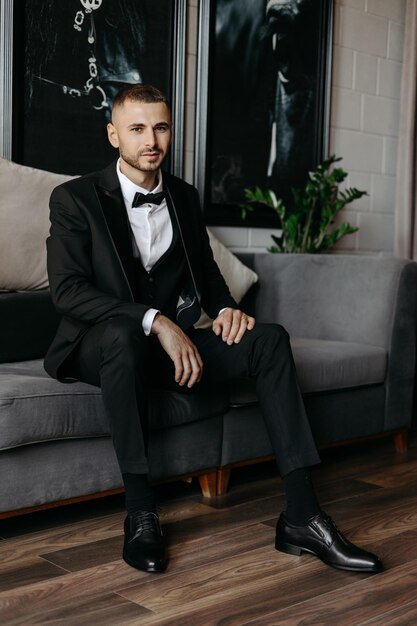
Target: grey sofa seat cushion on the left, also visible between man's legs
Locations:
point(35, 407)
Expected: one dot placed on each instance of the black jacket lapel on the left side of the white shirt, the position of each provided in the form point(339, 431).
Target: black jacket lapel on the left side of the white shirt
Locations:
point(114, 210)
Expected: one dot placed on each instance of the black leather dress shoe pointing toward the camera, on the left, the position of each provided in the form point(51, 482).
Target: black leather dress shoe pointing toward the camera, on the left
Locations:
point(144, 546)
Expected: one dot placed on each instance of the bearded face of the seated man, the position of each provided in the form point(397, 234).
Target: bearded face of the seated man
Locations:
point(142, 133)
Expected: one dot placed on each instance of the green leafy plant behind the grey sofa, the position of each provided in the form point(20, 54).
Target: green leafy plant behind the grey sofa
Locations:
point(309, 226)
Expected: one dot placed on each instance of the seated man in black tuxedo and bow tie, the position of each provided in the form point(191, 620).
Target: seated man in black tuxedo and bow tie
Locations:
point(129, 263)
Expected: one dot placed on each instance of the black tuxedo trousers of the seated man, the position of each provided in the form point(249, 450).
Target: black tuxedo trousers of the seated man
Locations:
point(117, 356)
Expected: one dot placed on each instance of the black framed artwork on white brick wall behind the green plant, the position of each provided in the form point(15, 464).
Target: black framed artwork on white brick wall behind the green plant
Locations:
point(264, 90)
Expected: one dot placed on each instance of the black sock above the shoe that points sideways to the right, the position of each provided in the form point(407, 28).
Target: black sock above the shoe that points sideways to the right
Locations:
point(302, 503)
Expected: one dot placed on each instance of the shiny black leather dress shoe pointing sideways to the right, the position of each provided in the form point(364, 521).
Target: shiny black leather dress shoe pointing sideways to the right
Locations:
point(322, 538)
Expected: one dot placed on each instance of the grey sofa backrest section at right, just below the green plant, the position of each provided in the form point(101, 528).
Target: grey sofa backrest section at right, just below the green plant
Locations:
point(334, 297)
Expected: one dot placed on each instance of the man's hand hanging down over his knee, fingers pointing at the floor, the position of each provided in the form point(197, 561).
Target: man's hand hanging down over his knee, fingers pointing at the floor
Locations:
point(182, 351)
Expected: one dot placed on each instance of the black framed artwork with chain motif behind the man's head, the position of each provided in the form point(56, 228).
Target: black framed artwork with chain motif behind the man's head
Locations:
point(69, 61)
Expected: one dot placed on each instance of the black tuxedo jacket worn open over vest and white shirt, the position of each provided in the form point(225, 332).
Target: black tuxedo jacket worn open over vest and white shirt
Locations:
point(90, 261)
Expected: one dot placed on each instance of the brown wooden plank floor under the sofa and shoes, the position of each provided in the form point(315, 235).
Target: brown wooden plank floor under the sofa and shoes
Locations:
point(64, 566)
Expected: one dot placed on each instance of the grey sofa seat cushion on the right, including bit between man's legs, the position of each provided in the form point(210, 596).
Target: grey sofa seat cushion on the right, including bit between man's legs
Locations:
point(326, 366)
